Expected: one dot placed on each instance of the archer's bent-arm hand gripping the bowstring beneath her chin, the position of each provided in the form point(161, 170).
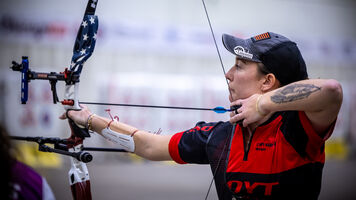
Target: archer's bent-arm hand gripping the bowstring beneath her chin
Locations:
point(249, 112)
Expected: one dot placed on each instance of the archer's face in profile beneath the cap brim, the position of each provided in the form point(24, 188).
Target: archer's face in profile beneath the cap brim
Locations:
point(244, 79)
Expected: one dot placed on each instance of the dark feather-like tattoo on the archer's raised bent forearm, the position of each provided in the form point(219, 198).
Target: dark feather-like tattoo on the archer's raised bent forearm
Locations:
point(294, 92)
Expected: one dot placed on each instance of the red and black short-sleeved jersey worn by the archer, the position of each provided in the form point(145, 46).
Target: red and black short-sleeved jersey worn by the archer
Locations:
point(284, 158)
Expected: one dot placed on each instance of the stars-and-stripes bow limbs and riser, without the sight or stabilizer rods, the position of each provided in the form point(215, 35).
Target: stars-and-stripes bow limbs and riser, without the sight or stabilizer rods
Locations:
point(83, 49)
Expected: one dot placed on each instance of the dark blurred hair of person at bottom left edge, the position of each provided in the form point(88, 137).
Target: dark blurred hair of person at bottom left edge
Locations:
point(6, 163)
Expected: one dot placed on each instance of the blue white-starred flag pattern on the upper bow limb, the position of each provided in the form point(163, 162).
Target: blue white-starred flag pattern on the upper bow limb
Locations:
point(85, 42)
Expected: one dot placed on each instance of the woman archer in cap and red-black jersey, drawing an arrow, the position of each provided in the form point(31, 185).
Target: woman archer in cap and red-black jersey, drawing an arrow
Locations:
point(273, 145)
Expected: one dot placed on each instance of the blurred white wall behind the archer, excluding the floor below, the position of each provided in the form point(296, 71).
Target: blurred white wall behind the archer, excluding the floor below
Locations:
point(161, 52)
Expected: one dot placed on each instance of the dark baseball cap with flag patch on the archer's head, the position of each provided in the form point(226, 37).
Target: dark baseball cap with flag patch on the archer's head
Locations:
point(280, 55)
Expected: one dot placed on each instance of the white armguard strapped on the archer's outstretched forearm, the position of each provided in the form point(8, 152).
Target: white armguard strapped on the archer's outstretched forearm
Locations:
point(122, 141)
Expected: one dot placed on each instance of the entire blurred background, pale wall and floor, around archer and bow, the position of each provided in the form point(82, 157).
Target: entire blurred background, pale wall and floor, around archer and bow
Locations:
point(161, 52)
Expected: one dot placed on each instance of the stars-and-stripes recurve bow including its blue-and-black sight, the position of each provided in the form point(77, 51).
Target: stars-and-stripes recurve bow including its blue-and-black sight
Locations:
point(82, 50)
